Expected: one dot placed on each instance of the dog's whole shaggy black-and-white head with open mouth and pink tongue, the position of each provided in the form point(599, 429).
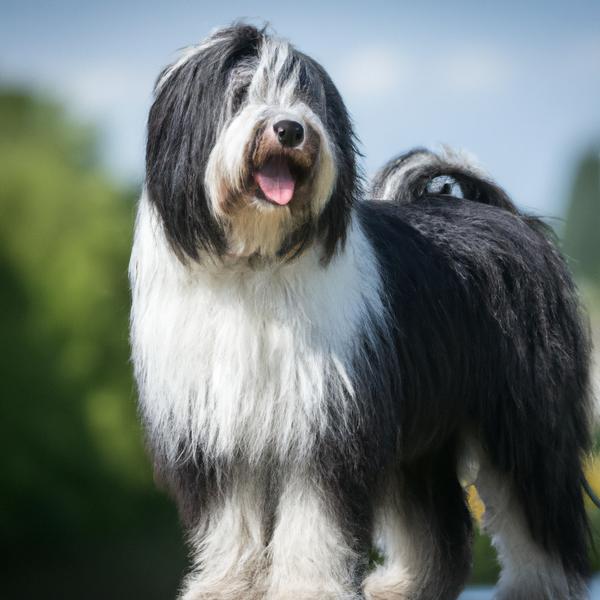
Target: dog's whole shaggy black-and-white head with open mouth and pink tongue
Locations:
point(250, 150)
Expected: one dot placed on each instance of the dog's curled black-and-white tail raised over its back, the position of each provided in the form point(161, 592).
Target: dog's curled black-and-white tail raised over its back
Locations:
point(422, 173)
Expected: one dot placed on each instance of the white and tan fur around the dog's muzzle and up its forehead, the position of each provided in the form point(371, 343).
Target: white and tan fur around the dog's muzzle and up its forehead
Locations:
point(259, 227)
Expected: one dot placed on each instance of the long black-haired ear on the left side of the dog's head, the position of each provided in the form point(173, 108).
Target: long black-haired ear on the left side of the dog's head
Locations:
point(183, 124)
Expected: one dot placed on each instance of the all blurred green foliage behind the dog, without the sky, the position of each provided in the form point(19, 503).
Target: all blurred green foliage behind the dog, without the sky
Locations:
point(78, 507)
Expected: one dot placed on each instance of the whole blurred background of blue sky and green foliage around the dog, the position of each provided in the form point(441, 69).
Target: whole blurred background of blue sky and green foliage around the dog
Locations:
point(516, 84)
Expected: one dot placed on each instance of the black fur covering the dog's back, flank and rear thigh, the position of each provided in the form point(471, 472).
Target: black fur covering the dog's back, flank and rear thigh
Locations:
point(488, 336)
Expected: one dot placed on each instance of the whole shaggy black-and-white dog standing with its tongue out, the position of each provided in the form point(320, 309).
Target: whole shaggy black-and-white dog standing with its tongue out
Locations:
point(317, 371)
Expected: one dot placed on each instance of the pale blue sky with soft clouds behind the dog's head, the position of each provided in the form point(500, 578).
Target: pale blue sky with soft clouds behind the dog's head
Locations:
point(515, 83)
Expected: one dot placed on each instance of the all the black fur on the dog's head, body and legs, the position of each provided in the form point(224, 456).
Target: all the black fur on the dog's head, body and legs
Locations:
point(482, 331)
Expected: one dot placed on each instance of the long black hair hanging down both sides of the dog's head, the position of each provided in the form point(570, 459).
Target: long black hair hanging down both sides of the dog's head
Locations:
point(183, 124)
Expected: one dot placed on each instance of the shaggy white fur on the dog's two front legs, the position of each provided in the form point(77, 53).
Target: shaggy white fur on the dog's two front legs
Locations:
point(307, 556)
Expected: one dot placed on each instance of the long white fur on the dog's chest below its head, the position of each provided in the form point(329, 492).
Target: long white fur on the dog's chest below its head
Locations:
point(234, 361)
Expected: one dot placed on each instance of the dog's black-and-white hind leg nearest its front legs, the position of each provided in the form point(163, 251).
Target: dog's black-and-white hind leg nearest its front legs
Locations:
point(423, 530)
